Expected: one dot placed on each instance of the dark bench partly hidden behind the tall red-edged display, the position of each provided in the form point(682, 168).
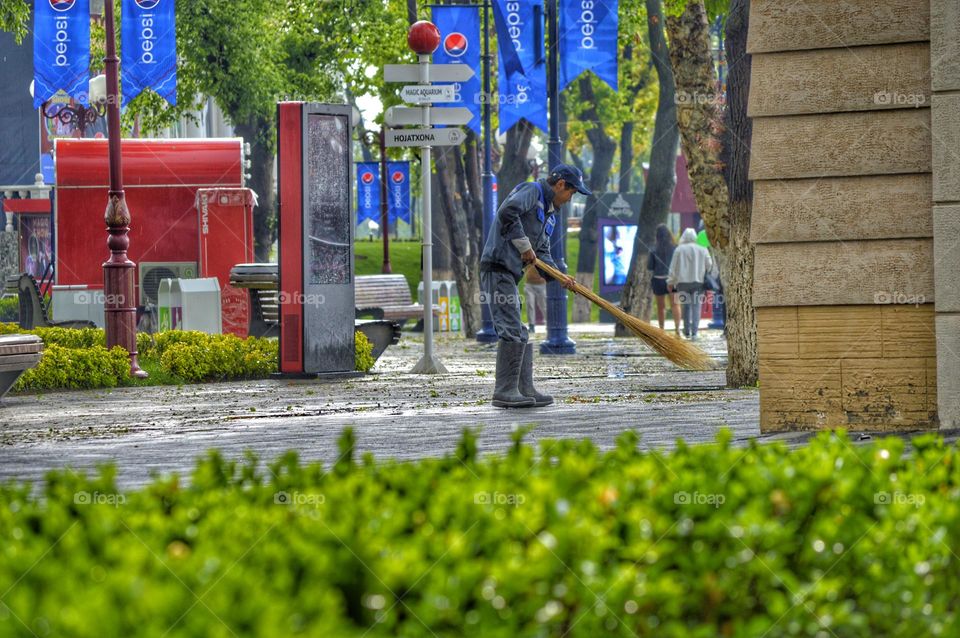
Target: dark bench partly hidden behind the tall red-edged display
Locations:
point(262, 284)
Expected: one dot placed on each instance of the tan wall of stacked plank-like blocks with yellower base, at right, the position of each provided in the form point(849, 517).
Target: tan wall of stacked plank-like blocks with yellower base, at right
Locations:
point(844, 162)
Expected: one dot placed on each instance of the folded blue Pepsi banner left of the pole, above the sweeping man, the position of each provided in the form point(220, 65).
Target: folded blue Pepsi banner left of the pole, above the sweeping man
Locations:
point(523, 94)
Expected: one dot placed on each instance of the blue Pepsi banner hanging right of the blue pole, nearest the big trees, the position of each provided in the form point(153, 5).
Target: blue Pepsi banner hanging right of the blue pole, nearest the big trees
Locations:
point(588, 40)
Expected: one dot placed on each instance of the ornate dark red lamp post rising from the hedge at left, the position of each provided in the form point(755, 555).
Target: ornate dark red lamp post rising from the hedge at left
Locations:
point(120, 309)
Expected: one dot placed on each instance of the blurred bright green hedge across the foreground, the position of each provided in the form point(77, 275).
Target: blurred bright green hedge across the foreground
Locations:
point(830, 540)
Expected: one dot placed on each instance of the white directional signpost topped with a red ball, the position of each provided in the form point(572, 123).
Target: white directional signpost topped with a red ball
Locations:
point(424, 38)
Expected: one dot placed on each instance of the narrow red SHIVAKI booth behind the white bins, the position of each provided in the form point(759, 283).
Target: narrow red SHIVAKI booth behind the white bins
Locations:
point(226, 239)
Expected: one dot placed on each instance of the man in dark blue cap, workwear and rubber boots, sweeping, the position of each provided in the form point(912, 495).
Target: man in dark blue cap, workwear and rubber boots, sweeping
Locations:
point(520, 235)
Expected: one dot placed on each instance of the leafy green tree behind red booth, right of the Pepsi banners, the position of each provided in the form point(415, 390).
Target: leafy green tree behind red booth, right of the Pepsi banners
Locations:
point(251, 54)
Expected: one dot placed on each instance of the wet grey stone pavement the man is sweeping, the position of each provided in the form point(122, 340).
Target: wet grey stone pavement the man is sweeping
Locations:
point(609, 386)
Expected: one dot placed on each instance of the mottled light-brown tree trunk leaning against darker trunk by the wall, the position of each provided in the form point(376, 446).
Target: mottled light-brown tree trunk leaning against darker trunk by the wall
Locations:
point(699, 115)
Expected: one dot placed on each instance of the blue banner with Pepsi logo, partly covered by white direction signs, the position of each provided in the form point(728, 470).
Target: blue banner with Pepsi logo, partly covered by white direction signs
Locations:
point(460, 44)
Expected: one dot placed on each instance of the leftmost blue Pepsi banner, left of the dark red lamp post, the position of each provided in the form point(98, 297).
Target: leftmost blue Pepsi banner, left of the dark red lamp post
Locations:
point(61, 49)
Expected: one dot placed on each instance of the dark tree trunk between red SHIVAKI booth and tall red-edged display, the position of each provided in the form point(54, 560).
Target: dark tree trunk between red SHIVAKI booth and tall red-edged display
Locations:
point(258, 134)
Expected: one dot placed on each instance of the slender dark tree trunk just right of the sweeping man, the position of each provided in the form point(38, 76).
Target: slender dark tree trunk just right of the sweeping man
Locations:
point(604, 151)
